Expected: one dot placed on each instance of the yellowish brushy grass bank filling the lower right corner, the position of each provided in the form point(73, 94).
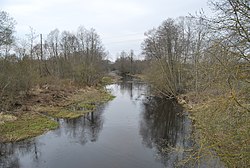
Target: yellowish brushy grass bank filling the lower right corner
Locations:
point(221, 129)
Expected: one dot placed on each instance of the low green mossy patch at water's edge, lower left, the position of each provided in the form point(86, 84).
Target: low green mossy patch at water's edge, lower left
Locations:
point(26, 126)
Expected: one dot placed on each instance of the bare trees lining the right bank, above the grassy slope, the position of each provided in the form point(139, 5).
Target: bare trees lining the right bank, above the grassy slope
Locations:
point(199, 53)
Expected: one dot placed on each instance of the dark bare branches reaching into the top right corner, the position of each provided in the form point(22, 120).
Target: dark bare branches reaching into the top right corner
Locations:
point(233, 25)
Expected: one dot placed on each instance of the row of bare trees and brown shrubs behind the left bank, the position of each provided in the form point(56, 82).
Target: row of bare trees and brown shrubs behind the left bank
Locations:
point(77, 57)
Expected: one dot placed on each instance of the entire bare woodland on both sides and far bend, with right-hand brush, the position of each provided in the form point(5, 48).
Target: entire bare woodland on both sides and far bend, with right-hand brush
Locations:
point(202, 62)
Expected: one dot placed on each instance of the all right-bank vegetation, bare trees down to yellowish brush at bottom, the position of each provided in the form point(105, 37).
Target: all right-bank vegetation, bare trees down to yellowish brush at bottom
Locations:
point(208, 60)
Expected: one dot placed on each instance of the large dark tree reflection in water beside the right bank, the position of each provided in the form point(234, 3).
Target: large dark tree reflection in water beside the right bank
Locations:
point(164, 128)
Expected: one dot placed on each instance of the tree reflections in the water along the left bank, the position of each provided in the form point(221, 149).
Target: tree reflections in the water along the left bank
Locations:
point(79, 131)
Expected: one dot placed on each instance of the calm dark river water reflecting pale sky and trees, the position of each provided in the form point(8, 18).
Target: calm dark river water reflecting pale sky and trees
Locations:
point(132, 131)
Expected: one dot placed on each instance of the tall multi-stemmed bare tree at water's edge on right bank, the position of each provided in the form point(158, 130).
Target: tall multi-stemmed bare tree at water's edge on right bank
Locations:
point(163, 46)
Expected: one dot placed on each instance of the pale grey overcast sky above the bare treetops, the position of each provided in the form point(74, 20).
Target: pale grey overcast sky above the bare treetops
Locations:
point(120, 23)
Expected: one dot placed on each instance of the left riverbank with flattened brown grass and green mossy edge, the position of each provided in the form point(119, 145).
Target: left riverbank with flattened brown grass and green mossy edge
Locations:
point(34, 114)
